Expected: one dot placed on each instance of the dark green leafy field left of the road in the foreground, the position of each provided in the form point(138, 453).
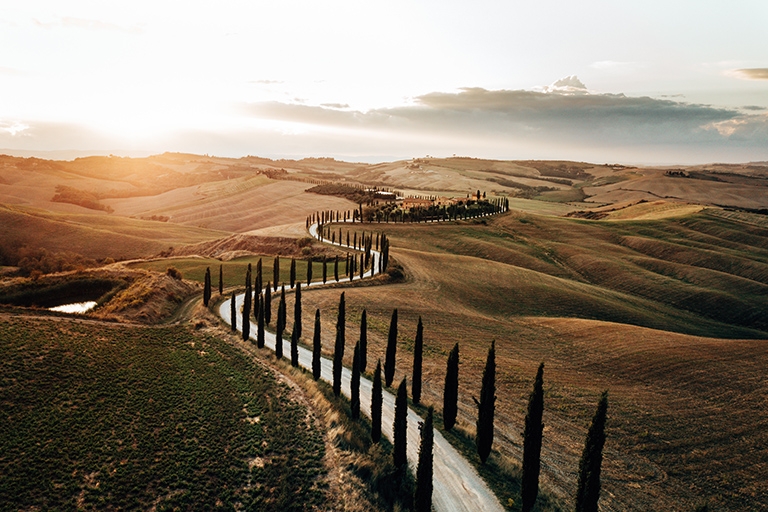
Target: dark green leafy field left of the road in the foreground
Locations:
point(111, 418)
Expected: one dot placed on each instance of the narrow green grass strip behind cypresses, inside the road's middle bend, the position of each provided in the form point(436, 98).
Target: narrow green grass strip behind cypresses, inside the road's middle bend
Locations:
point(234, 270)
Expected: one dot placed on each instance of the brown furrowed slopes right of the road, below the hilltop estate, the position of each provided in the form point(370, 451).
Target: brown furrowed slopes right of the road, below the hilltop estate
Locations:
point(668, 315)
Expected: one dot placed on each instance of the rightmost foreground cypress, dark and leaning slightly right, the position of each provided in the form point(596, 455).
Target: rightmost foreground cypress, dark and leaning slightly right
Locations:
point(588, 488)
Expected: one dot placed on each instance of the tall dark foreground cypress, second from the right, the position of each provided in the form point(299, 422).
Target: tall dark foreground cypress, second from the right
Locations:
point(532, 438)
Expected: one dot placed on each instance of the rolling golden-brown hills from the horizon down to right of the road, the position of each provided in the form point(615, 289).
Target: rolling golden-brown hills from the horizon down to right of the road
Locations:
point(649, 282)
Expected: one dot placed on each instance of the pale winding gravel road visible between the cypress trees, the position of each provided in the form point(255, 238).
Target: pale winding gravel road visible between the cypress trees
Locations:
point(457, 486)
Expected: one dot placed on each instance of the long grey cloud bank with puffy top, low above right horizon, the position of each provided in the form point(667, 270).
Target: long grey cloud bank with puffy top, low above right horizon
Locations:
point(556, 121)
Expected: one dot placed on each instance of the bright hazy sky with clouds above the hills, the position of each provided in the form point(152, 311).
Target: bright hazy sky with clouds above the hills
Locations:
point(637, 82)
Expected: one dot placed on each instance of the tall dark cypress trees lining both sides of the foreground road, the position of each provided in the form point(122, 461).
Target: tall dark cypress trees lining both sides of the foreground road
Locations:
point(588, 489)
